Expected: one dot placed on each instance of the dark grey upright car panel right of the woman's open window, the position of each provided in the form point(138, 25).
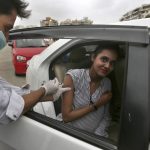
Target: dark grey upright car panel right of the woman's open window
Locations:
point(135, 123)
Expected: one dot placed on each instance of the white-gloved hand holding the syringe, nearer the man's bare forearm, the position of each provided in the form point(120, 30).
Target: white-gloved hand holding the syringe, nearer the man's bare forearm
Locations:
point(51, 86)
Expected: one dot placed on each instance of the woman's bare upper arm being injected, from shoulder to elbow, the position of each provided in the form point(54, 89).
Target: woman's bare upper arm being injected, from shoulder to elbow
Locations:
point(67, 101)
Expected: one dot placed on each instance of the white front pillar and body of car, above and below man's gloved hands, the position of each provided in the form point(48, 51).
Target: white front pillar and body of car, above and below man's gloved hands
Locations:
point(42, 63)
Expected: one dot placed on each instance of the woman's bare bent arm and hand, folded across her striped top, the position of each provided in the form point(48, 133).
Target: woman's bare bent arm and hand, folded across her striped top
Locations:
point(68, 113)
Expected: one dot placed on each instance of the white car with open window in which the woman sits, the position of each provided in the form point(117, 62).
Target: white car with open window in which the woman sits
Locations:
point(42, 128)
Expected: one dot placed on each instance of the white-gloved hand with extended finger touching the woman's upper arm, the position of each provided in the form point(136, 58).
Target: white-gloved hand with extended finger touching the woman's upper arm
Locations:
point(60, 91)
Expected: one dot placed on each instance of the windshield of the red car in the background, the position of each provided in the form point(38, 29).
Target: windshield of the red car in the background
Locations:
point(31, 43)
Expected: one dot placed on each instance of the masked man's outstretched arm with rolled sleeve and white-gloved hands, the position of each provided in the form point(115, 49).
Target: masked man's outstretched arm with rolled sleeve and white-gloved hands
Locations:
point(13, 104)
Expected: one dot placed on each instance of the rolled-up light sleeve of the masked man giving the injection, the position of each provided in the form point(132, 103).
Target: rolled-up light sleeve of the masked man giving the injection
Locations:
point(11, 105)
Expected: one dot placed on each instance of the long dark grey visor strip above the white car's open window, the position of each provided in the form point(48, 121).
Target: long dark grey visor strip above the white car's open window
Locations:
point(135, 34)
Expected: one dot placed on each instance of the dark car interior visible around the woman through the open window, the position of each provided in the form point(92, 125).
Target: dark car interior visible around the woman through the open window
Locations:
point(79, 57)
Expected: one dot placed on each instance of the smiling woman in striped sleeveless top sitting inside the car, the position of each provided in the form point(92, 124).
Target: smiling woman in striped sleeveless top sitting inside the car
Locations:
point(86, 106)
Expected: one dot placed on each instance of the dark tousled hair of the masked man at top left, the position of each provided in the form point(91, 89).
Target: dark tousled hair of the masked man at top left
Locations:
point(6, 7)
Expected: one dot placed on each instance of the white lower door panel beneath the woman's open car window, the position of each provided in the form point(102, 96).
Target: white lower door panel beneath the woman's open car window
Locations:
point(32, 135)
